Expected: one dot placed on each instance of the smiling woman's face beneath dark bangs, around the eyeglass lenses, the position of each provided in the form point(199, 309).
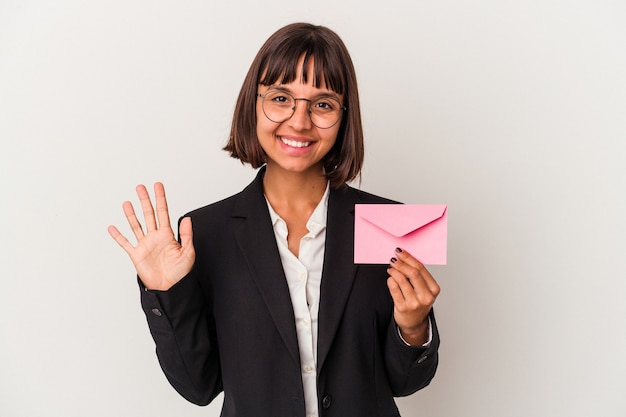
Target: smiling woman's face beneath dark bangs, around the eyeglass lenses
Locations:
point(296, 145)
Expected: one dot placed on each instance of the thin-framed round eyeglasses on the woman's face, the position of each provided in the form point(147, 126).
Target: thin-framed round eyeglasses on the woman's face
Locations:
point(279, 106)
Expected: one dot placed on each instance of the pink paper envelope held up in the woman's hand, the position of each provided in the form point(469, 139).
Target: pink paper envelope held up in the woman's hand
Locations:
point(421, 229)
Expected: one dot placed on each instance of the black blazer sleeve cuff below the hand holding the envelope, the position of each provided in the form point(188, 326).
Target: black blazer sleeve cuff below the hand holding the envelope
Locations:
point(410, 368)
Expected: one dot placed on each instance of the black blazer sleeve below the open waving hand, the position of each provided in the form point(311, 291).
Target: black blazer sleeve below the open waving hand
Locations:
point(185, 339)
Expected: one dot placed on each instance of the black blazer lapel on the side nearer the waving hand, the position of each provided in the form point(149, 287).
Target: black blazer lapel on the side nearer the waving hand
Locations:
point(255, 237)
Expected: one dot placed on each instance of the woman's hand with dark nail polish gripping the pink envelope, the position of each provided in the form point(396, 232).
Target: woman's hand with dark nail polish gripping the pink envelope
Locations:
point(414, 291)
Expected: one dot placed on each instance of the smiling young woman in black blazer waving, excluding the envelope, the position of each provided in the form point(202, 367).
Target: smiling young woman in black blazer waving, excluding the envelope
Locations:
point(260, 298)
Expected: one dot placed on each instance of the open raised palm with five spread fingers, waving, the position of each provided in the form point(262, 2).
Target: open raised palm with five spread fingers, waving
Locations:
point(159, 259)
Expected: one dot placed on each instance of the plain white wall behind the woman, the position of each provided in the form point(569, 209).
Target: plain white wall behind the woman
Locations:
point(512, 112)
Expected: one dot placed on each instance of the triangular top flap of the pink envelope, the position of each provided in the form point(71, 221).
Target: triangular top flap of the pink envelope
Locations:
point(400, 219)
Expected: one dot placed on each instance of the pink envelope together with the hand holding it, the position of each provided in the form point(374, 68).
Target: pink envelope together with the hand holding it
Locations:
point(420, 231)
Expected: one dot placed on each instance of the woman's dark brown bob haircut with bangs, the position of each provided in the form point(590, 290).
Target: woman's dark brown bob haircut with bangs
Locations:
point(276, 62)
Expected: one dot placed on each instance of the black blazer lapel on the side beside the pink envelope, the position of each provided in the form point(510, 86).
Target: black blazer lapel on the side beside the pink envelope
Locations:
point(339, 269)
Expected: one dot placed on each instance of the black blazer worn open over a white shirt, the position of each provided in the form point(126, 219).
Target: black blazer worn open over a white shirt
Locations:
point(229, 325)
